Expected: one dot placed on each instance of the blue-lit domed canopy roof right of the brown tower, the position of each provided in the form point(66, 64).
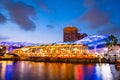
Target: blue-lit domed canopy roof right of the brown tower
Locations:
point(93, 40)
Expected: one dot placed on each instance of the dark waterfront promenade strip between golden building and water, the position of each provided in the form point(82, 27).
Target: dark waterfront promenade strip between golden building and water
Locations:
point(68, 59)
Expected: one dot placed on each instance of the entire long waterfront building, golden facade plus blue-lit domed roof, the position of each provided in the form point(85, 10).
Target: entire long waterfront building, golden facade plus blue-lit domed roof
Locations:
point(88, 45)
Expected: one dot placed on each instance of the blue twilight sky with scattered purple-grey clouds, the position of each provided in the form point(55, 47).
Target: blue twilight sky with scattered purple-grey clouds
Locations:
point(42, 21)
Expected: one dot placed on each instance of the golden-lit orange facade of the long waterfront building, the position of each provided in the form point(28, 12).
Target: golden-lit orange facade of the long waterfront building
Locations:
point(52, 50)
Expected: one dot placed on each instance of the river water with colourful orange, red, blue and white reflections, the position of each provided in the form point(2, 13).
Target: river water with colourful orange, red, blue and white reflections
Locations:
point(27, 70)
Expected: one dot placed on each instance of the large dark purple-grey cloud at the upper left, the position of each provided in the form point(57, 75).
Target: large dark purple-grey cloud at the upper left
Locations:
point(20, 13)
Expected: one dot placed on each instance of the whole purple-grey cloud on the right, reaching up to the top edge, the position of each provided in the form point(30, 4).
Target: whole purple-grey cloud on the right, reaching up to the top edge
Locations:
point(95, 15)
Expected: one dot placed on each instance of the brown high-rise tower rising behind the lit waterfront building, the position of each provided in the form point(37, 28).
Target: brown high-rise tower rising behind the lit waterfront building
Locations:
point(71, 34)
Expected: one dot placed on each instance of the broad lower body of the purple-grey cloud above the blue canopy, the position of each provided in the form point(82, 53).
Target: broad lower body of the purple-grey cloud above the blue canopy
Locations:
point(95, 18)
